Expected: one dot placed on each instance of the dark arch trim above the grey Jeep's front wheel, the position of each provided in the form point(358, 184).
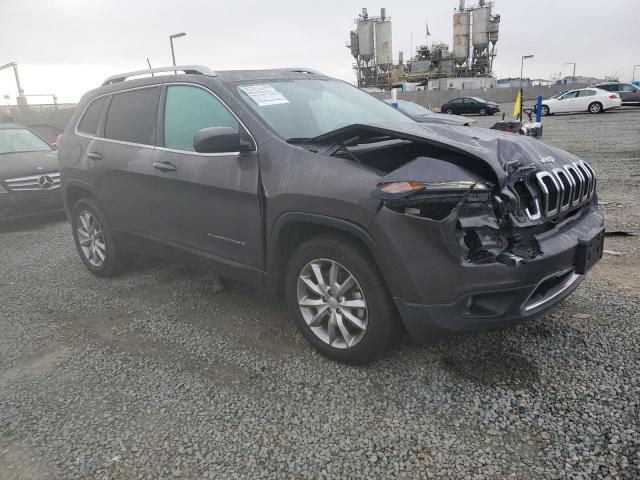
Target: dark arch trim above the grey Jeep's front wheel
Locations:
point(292, 229)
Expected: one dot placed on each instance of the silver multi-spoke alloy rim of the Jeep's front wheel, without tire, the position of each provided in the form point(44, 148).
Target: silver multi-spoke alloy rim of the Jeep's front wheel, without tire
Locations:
point(332, 303)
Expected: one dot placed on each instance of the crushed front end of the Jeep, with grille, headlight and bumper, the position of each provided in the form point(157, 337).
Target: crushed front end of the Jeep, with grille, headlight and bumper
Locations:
point(475, 254)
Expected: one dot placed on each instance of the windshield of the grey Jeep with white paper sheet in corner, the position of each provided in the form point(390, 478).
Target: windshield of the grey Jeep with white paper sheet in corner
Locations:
point(302, 109)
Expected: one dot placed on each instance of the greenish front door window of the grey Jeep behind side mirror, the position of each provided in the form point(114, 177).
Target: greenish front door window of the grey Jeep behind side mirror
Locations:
point(188, 110)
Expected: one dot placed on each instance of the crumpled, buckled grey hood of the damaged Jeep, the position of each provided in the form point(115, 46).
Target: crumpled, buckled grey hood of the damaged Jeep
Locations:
point(503, 152)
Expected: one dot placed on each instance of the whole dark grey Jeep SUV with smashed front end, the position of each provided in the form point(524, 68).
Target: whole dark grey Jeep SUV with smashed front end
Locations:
point(304, 185)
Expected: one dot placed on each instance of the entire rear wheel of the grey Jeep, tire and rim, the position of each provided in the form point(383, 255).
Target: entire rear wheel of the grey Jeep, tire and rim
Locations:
point(111, 259)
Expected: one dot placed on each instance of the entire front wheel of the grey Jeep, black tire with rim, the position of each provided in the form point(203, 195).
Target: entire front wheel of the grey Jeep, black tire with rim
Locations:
point(377, 325)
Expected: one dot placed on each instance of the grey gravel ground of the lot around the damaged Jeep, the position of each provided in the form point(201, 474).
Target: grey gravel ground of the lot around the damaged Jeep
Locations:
point(154, 374)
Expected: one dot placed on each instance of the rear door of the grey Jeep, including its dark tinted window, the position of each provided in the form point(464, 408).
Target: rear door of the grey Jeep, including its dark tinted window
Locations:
point(122, 160)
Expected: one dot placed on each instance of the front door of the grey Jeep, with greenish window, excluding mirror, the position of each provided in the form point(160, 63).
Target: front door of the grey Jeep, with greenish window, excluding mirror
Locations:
point(209, 202)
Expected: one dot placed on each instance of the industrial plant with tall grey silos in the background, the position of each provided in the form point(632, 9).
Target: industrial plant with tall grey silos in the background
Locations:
point(469, 64)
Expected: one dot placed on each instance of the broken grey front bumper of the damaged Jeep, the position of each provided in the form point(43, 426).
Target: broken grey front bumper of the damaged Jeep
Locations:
point(435, 290)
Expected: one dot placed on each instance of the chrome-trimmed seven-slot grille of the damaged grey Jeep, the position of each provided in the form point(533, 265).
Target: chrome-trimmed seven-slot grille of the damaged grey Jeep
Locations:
point(561, 189)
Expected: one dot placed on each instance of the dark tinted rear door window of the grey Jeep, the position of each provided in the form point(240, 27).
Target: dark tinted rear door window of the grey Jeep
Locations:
point(132, 116)
